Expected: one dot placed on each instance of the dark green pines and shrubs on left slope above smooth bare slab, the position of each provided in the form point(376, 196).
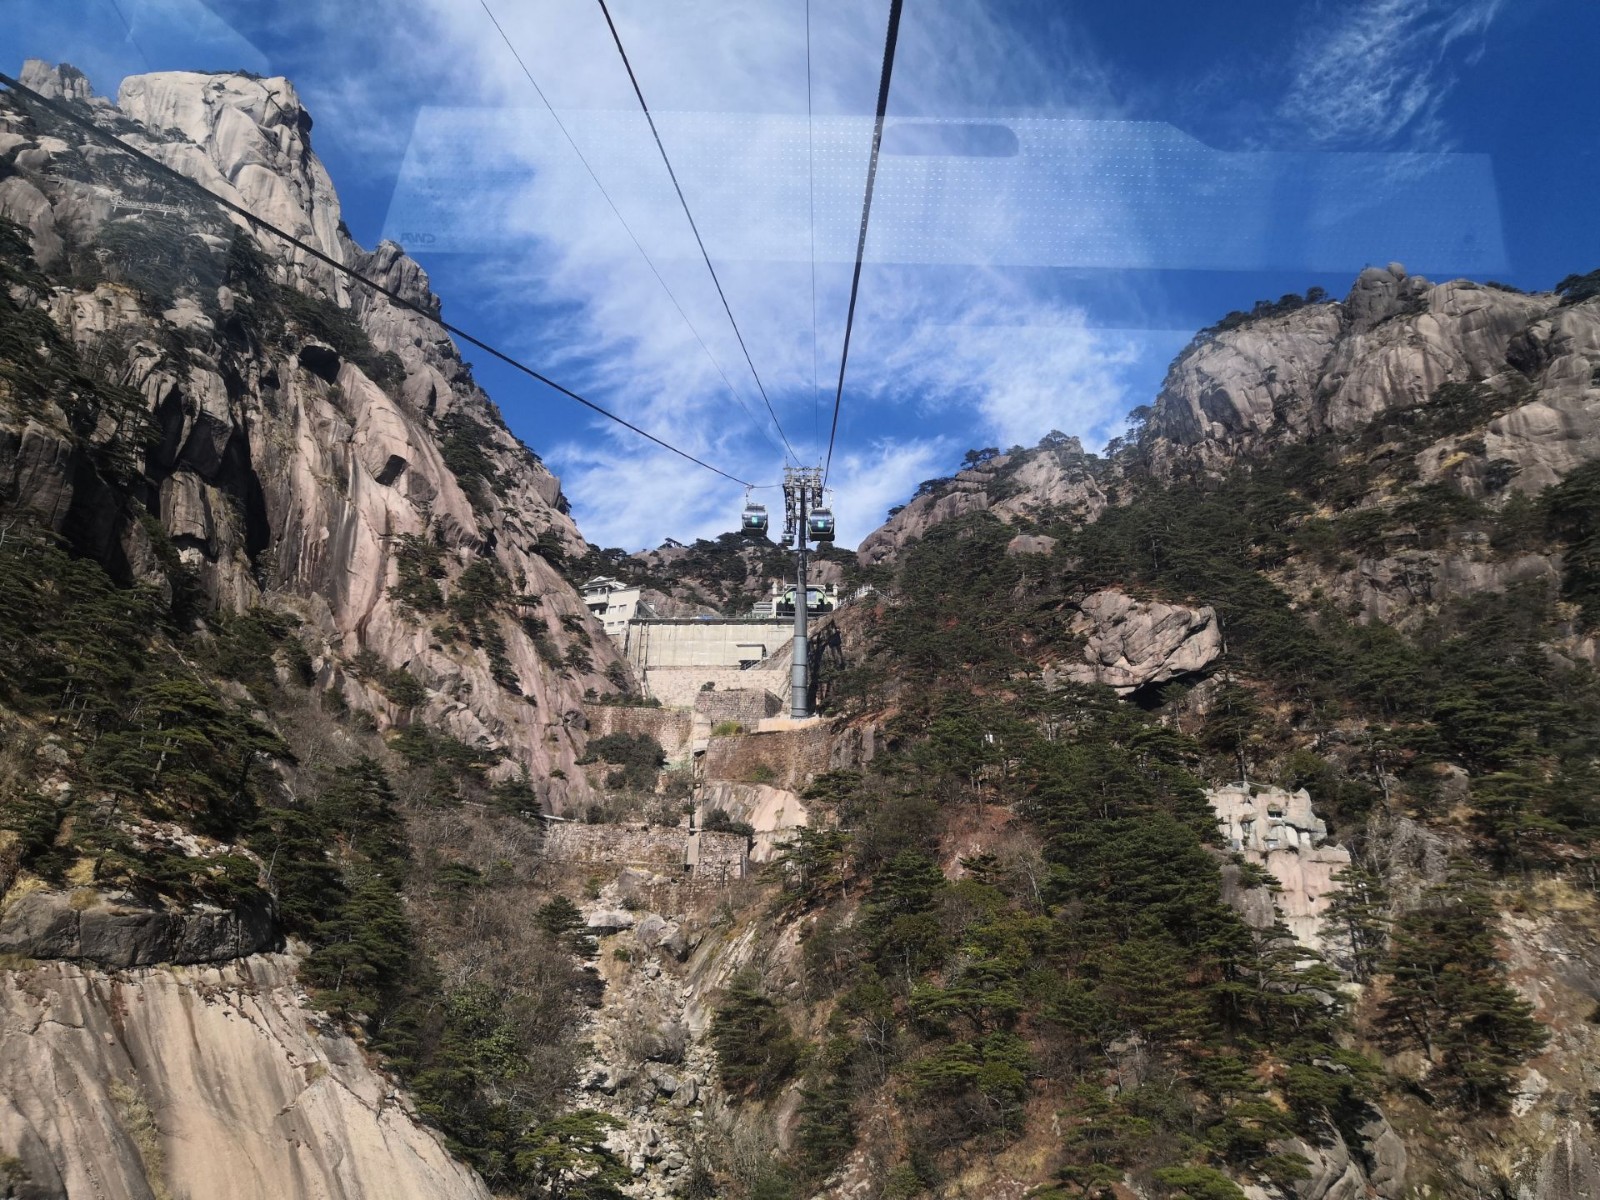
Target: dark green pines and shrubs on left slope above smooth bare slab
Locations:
point(135, 694)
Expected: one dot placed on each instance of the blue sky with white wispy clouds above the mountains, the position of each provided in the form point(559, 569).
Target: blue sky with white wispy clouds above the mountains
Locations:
point(1068, 193)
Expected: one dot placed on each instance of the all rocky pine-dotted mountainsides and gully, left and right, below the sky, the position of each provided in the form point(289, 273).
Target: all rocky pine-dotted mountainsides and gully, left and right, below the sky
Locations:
point(290, 662)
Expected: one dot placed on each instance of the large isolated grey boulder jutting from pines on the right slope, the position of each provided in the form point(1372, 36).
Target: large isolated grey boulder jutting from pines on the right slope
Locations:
point(1130, 644)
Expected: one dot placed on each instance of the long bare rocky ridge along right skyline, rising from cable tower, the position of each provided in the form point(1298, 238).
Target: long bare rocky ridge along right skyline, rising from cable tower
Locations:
point(1481, 388)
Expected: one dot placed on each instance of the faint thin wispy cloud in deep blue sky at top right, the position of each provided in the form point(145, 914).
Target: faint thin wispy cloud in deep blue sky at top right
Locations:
point(1377, 73)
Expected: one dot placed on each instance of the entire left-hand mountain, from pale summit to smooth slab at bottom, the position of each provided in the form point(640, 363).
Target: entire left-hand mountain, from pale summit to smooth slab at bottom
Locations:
point(294, 522)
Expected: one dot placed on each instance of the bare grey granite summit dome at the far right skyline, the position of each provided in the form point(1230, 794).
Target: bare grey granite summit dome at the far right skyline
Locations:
point(1388, 348)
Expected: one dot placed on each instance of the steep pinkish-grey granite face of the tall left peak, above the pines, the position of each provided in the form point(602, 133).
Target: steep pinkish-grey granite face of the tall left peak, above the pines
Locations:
point(287, 470)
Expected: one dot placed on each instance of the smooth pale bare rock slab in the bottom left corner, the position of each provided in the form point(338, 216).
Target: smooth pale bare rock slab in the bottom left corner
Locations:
point(214, 1081)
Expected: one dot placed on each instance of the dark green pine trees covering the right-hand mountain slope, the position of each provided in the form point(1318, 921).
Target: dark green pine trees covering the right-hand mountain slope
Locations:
point(1097, 966)
